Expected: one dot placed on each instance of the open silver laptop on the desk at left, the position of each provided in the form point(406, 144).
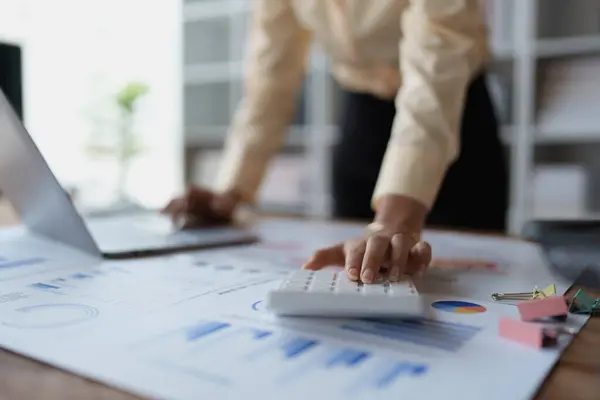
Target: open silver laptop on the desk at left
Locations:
point(46, 210)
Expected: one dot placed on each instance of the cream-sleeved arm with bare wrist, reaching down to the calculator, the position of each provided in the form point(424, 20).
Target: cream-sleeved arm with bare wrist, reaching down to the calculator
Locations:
point(439, 54)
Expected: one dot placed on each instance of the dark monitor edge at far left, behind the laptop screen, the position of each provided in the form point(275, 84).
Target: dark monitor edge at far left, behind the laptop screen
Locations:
point(11, 75)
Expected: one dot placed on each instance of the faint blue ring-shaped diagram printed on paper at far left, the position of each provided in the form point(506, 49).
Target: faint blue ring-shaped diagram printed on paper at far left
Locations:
point(46, 316)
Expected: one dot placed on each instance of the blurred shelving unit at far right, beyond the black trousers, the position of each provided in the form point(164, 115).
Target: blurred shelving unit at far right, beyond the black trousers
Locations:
point(548, 92)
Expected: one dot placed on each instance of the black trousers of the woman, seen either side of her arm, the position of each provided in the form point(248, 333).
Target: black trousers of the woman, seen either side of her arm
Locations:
point(474, 193)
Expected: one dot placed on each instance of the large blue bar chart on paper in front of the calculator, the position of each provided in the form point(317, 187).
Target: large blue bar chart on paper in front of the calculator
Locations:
point(232, 355)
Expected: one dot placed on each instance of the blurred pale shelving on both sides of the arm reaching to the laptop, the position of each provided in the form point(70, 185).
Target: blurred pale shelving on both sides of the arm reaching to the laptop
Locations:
point(214, 51)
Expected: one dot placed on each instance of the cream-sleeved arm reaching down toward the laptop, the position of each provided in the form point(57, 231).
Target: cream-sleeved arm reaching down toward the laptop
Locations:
point(278, 52)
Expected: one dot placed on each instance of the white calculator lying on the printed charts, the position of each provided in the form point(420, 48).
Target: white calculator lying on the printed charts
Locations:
point(331, 294)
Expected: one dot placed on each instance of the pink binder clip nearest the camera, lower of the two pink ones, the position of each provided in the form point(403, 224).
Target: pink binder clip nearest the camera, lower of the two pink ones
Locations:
point(533, 335)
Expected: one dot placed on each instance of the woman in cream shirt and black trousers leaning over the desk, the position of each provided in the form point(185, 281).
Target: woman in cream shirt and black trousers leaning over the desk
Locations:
point(419, 137)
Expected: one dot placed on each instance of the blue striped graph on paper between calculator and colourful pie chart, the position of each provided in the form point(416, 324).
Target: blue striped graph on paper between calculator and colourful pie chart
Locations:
point(446, 336)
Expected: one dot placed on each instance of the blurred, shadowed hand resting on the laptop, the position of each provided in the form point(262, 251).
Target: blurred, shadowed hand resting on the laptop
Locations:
point(200, 207)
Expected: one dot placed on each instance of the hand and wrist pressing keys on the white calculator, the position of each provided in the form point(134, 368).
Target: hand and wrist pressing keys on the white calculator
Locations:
point(392, 248)
